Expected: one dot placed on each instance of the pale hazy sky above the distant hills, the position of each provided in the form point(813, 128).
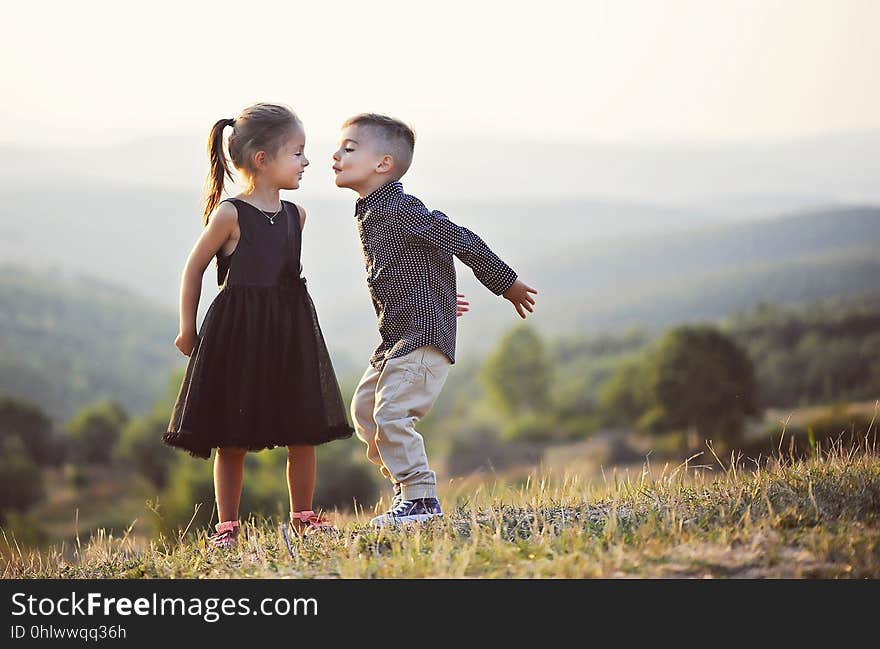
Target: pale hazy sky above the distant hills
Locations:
point(101, 72)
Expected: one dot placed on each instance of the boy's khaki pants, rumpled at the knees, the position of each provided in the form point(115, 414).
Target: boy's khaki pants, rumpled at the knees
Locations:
point(385, 408)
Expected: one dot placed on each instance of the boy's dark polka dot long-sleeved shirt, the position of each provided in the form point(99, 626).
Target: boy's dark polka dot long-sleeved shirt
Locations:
point(408, 252)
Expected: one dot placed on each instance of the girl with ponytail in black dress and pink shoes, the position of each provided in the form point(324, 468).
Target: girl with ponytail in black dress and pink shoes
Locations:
point(258, 374)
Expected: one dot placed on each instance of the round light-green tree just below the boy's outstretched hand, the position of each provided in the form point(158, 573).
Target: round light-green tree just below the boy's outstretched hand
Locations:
point(517, 374)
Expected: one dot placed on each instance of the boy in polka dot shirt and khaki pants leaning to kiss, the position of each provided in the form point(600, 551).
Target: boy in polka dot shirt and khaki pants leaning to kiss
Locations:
point(408, 252)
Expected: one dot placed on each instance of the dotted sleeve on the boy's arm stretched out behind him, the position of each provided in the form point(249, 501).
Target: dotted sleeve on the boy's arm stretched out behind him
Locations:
point(435, 228)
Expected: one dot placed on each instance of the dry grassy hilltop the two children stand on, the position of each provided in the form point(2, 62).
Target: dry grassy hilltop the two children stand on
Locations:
point(813, 518)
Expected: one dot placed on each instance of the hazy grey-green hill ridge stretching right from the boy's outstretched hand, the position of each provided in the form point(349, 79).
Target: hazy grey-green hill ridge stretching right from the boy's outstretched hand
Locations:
point(660, 280)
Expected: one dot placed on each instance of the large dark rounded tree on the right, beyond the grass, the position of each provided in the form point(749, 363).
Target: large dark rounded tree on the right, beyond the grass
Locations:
point(702, 382)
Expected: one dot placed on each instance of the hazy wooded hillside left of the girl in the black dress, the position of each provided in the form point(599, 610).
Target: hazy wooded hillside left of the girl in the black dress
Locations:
point(69, 341)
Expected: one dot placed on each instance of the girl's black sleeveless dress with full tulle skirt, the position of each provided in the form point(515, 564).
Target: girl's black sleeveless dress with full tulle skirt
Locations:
point(259, 375)
